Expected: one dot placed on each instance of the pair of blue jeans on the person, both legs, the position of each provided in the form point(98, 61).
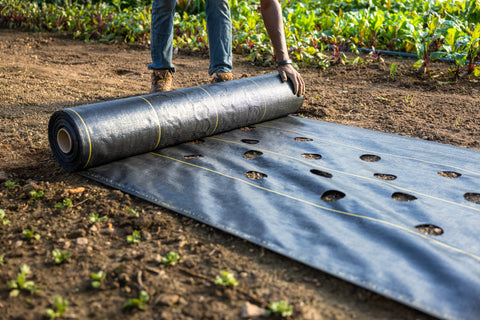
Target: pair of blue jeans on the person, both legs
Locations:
point(219, 27)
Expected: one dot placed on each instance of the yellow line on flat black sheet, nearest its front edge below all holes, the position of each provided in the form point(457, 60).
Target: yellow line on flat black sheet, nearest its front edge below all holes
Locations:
point(324, 208)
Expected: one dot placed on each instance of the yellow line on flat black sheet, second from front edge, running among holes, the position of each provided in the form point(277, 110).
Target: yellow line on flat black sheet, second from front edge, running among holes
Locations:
point(350, 174)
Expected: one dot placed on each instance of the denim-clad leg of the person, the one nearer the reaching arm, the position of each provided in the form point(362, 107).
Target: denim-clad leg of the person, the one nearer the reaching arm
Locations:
point(219, 27)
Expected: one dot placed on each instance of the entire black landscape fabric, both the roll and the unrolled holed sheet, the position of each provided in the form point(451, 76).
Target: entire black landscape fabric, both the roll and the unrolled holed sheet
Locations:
point(396, 215)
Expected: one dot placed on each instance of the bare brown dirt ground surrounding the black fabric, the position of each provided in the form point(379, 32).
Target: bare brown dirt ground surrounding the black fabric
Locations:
point(41, 73)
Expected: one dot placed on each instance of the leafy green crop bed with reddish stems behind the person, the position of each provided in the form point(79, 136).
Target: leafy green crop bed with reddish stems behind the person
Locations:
point(430, 29)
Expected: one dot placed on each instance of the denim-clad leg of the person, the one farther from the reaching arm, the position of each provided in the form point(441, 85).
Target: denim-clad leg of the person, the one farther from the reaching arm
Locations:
point(161, 43)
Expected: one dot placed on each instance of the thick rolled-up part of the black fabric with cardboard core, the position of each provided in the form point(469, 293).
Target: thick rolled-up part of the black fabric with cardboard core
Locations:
point(90, 135)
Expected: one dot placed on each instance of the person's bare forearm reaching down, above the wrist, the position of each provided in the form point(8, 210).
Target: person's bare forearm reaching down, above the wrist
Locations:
point(272, 17)
